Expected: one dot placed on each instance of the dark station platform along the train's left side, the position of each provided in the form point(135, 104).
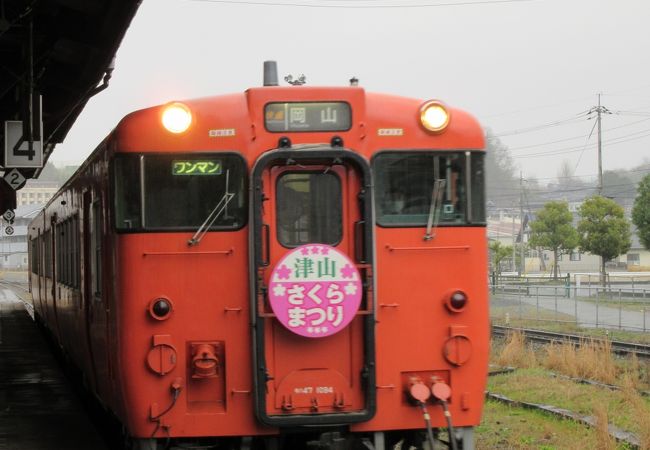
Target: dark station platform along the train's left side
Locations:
point(39, 410)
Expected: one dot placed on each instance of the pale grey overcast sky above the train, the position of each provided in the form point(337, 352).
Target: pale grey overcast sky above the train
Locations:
point(528, 70)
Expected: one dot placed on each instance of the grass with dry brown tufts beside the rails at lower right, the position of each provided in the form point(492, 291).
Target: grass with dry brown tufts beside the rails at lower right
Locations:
point(508, 427)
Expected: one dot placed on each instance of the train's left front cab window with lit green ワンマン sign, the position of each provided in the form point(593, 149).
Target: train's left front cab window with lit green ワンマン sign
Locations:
point(179, 191)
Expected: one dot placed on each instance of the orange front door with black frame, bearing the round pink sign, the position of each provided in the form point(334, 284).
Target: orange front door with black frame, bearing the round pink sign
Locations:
point(312, 299)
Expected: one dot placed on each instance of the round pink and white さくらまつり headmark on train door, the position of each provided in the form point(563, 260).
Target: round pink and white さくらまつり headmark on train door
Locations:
point(315, 290)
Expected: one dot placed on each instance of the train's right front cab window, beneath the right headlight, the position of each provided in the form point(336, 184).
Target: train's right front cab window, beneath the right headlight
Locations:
point(413, 188)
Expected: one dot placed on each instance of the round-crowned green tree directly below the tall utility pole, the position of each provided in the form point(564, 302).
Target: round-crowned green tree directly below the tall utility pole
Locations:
point(603, 230)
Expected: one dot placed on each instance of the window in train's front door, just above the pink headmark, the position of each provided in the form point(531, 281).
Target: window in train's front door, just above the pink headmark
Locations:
point(309, 209)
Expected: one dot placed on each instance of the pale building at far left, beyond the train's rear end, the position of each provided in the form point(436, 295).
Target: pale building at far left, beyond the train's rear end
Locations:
point(13, 248)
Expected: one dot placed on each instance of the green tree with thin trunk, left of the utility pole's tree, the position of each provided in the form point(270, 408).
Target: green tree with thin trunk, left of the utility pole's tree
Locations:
point(553, 230)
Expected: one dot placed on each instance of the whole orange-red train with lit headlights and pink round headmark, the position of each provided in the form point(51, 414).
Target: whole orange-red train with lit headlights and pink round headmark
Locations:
point(288, 267)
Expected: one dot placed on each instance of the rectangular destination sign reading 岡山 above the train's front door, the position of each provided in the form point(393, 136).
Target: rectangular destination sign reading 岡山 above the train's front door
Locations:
point(307, 117)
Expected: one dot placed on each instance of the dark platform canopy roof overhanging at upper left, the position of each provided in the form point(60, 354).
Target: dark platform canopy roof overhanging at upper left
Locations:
point(60, 51)
